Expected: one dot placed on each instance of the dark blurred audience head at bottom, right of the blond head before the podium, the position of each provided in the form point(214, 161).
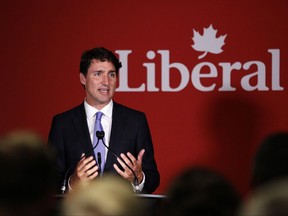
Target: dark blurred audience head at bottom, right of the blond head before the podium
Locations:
point(199, 191)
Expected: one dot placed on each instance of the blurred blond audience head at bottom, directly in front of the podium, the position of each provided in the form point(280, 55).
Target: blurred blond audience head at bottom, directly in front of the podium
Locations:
point(110, 195)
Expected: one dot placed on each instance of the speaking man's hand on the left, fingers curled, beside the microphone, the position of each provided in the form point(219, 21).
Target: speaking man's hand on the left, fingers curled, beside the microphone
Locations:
point(86, 169)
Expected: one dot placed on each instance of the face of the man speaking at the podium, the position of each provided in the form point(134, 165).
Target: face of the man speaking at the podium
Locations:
point(100, 83)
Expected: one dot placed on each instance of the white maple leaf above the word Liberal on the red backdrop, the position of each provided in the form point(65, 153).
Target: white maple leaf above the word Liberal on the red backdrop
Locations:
point(208, 42)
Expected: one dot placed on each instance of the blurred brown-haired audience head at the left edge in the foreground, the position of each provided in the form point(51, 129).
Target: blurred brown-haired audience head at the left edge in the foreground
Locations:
point(28, 175)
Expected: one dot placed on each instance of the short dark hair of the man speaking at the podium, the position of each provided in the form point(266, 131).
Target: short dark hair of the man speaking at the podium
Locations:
point(100, 53)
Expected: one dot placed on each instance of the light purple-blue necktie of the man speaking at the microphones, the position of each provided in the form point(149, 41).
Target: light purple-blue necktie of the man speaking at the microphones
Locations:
point(99, 151)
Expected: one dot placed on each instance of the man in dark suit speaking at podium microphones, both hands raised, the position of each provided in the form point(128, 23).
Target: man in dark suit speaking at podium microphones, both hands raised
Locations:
point(127, 133)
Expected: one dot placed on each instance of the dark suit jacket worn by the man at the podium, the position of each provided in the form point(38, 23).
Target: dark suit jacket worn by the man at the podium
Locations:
point(130, 132)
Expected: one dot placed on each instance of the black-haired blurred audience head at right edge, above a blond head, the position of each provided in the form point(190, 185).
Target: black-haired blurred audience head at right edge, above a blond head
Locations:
point(271, 159)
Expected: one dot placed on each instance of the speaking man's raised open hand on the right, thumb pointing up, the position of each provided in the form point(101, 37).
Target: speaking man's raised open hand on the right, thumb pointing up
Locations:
point(135, 164)
